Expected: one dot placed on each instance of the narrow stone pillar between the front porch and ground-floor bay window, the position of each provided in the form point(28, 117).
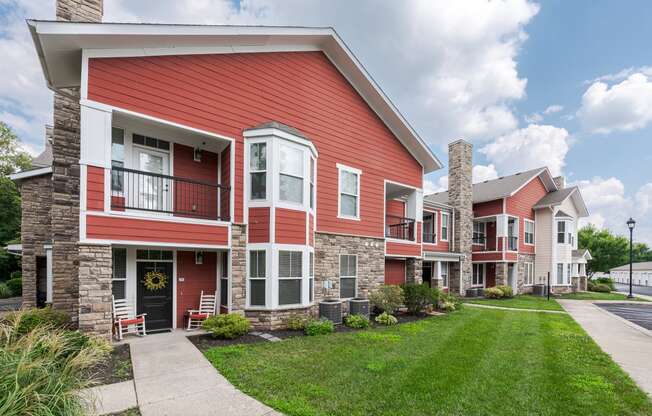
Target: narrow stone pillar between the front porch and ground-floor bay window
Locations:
point(238, 268)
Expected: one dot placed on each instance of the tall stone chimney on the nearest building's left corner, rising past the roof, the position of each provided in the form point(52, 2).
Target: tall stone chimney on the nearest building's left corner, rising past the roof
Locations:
point(65, 176)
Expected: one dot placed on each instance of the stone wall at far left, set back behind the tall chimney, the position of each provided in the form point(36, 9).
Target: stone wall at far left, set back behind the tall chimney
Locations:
point(36, 200)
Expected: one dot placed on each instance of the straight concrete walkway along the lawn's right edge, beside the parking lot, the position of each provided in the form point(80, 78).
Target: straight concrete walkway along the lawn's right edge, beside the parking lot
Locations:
point(629, 345)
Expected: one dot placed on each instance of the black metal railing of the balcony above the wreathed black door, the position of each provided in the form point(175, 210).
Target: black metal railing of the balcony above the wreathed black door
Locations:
point(145, 191)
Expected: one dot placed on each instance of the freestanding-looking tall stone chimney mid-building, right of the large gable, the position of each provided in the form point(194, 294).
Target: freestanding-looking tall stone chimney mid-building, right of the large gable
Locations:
point(460, 197)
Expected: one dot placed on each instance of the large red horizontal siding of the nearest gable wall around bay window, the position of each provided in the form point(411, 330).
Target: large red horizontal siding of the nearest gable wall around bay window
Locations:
point(227, 93)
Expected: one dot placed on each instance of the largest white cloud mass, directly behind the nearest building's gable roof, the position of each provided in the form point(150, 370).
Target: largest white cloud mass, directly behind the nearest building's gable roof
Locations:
point(449, 66)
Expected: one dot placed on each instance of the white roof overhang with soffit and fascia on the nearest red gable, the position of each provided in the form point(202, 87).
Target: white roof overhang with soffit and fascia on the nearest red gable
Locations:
point(59, 46)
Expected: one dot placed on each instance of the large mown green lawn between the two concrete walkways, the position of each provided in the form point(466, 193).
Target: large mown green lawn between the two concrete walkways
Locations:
point(471, 362)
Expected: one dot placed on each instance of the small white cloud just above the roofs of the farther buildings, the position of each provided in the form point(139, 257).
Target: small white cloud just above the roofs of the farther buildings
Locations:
point(528, 148)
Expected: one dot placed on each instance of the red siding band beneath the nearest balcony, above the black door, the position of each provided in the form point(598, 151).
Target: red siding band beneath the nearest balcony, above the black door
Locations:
point(132, 229)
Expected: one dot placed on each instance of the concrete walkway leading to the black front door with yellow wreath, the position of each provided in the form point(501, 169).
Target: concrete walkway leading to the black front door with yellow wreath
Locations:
point(172, 377)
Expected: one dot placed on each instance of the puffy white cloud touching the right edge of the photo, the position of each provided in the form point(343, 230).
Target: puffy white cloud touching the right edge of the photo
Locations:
point(623, 106)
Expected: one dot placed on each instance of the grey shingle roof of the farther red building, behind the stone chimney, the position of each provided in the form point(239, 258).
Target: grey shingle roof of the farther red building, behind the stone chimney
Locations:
point(502, 187)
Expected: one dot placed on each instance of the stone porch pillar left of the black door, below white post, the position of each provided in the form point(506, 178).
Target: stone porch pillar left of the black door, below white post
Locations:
point(95, 271)
